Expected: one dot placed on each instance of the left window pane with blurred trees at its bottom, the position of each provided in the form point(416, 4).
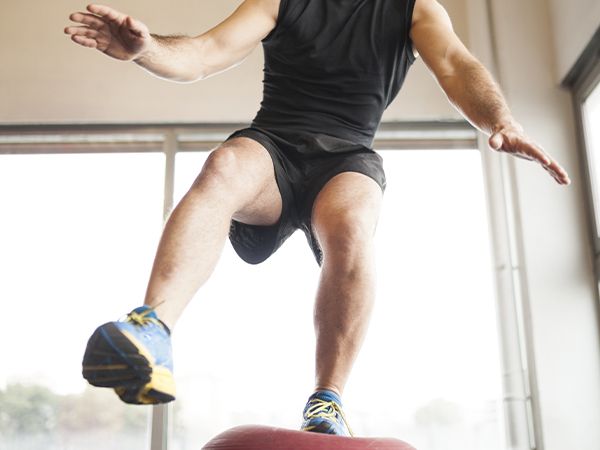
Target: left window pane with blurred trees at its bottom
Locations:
point(76, 239)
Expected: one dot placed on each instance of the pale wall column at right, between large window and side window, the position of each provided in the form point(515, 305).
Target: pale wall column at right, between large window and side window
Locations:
point(560, 289)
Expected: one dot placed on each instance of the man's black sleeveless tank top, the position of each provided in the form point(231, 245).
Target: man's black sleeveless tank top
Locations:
point(333, 66)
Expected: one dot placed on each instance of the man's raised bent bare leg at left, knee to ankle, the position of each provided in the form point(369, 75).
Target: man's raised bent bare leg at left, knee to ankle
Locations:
point(237, 181)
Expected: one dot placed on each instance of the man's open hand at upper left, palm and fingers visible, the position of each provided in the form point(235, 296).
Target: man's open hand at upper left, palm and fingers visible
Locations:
point(113, 33)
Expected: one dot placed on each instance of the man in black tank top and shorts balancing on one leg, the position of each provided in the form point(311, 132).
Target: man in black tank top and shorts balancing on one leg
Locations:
point(331, 68)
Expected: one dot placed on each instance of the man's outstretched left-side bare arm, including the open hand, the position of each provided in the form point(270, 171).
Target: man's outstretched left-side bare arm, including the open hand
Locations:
point(176, 58)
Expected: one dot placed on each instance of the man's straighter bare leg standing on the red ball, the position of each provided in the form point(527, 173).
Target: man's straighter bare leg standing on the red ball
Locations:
point(344, 219)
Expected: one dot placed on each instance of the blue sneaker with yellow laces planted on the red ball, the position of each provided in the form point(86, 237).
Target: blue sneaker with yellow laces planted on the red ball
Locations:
point(323, 414)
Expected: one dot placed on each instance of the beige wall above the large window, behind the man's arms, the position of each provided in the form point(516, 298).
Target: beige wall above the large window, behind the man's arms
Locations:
point(44, 77)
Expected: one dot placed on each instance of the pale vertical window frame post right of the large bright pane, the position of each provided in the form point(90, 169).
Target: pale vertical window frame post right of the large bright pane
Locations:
point(519, 402)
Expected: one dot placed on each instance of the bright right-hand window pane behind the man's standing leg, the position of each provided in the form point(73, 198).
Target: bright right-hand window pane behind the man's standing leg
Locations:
point(245, 346)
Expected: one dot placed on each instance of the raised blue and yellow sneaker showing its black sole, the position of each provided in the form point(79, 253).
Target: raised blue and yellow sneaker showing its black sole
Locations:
point(132, 356)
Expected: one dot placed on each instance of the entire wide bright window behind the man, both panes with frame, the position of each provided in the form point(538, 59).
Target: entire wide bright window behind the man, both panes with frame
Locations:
point(83, 211)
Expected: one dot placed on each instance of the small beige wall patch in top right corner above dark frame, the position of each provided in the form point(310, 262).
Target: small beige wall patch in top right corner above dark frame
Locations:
point(574, 24)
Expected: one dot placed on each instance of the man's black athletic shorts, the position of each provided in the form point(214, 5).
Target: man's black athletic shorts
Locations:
point(303, 164)
